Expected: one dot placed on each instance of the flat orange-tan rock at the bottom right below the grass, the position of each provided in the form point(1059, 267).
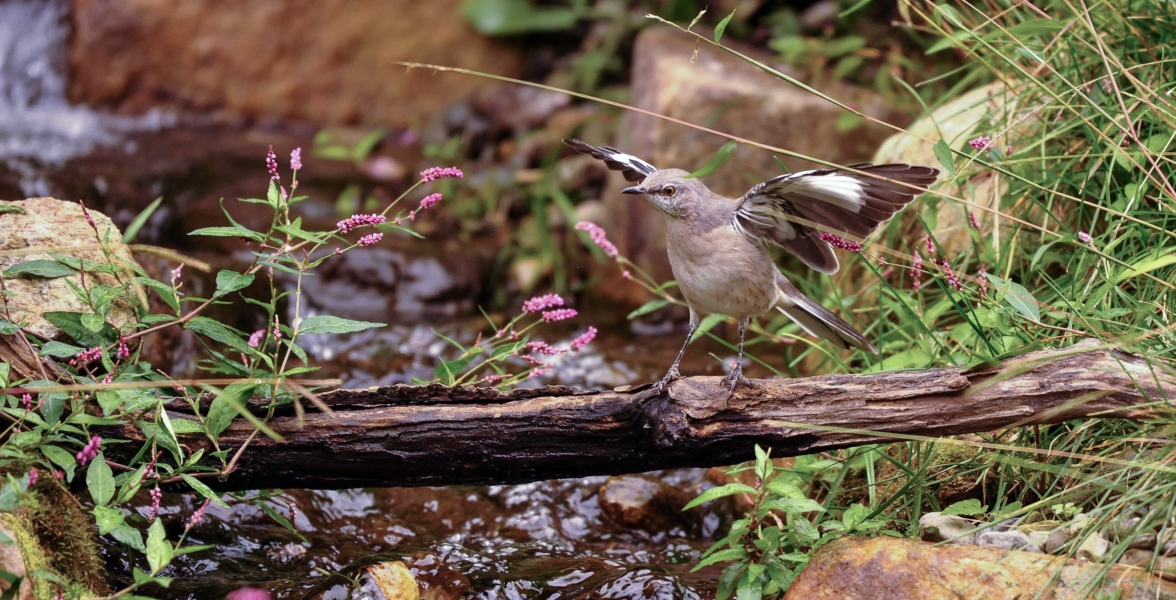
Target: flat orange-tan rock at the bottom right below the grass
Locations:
point(890, 568)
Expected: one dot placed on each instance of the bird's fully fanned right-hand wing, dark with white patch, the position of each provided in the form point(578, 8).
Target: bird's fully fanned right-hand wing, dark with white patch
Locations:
point(841, 201)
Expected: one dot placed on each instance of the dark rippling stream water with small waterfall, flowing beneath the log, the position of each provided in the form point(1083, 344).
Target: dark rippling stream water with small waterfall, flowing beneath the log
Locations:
point(539, 541)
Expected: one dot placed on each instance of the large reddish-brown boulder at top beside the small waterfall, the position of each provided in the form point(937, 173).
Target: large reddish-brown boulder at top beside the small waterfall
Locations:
point(329, 63)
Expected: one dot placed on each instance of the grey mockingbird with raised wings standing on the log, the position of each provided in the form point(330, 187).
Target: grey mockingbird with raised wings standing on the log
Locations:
point(717, 245)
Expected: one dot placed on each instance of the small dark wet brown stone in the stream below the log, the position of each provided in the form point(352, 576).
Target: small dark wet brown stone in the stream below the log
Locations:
point(647, 504)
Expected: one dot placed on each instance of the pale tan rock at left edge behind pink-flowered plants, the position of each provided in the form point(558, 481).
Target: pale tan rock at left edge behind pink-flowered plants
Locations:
point(50, 224)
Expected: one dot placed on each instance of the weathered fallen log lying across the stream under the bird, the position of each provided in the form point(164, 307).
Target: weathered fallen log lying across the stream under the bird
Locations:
point(405, 436)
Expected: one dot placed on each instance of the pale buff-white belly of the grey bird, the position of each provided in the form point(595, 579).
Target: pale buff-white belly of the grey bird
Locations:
point(720, 272)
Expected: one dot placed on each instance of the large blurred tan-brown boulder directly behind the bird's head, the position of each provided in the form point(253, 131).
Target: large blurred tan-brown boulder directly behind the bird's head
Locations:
point(734, 97)
